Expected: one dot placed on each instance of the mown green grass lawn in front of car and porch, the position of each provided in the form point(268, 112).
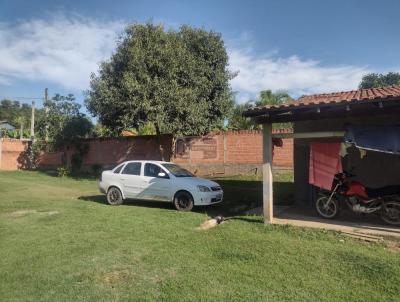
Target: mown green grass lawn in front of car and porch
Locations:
point(60, 242)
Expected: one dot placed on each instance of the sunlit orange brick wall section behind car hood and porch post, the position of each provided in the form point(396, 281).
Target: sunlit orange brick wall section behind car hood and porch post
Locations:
point(230, 152)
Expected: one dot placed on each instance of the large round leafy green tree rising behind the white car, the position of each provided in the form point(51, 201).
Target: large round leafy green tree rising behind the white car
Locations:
point(177, 81)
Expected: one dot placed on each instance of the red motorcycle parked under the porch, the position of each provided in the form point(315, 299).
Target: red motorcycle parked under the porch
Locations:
point(383, 201)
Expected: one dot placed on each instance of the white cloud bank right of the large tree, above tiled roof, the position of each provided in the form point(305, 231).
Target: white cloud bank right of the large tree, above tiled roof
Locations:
point(291, 74)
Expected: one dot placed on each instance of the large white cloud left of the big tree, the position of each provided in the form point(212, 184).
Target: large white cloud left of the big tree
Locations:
point(63, 49)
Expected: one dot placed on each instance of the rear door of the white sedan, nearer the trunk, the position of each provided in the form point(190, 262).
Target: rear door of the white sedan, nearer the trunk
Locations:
point(131, 179)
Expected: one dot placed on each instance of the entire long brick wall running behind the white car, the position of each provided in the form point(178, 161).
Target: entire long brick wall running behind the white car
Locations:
point(231, 152)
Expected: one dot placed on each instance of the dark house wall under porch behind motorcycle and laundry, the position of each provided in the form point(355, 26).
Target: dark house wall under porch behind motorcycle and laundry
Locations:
point(375, 170)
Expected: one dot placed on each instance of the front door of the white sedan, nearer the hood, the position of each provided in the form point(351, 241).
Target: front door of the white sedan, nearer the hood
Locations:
point(155, 187)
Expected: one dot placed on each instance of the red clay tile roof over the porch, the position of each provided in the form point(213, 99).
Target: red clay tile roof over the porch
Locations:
point(361, 95)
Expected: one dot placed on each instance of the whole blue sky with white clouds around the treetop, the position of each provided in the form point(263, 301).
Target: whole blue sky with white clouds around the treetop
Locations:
point(302, 47)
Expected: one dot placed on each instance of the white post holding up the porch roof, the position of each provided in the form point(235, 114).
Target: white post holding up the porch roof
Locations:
point(268, 202)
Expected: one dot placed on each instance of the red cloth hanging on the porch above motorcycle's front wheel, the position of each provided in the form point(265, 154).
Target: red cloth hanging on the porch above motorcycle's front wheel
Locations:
point(325, 162)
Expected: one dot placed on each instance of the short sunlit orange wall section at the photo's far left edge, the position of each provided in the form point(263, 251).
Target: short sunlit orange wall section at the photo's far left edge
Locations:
point(12, 154)
